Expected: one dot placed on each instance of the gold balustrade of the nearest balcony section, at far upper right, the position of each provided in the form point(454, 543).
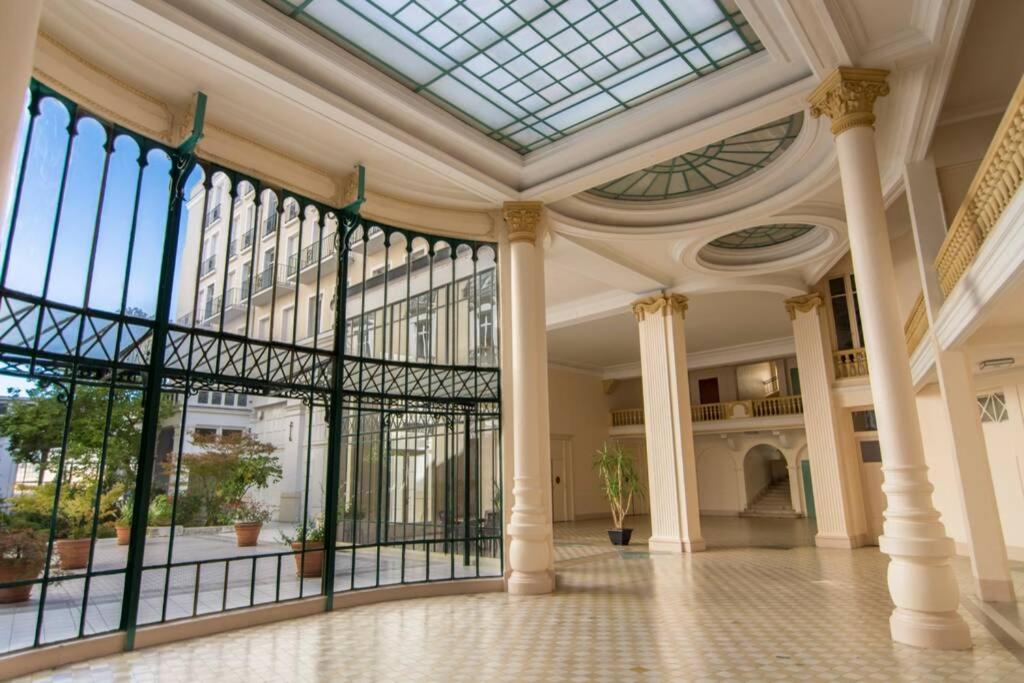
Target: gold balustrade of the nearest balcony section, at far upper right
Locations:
point(995, 185)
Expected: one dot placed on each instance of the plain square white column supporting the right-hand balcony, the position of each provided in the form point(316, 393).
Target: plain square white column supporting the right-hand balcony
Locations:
point(986, 541)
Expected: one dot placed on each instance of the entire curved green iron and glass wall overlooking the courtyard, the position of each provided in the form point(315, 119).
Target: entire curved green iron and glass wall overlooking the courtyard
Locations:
point(226, 396)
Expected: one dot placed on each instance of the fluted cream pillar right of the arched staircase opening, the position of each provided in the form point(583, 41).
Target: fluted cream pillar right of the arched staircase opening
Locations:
point(838, 503)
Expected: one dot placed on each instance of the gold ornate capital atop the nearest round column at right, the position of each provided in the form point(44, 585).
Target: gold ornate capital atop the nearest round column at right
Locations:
point(847, 97)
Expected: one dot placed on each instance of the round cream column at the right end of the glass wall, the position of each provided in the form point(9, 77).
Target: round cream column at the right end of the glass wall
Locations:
point(531, 557)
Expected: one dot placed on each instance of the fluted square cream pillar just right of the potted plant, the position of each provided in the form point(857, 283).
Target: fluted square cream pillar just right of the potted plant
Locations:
point(675, 518)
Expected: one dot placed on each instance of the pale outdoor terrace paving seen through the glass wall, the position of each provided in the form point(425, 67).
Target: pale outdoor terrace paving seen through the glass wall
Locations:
point(248, 581)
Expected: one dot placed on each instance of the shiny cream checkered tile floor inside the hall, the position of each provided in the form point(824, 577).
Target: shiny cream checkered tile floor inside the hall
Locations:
point(781, 611)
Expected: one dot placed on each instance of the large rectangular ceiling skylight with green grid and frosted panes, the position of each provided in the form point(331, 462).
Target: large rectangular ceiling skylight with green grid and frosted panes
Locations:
point(531, 72)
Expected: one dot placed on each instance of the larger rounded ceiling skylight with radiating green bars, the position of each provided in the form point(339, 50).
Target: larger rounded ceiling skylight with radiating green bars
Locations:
point(709, 168)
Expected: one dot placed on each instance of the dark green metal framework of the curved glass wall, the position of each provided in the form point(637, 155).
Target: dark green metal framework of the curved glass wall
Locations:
point(366, 400)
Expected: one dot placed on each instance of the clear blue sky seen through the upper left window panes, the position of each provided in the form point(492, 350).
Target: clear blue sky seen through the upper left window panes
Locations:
point(69, 280)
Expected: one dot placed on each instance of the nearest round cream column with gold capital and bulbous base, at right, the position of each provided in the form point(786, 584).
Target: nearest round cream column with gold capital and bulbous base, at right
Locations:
point(921, 580)
